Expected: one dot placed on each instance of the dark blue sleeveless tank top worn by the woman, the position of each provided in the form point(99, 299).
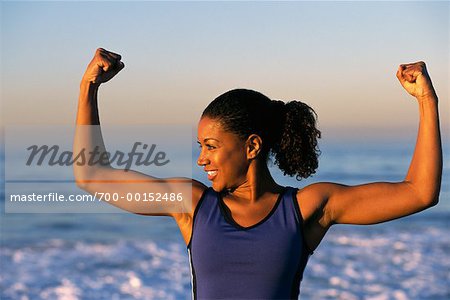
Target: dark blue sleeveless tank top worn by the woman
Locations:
point(263, 261)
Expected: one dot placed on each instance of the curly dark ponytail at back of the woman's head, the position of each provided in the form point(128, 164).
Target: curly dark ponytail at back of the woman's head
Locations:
point(296, 152)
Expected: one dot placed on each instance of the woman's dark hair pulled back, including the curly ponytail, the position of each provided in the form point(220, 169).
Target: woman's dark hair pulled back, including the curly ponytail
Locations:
point(288, 130)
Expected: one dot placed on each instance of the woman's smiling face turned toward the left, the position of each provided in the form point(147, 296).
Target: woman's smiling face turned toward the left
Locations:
point(222, 156)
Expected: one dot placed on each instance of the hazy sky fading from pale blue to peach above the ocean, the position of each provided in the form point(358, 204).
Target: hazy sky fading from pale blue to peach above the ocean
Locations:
point(339, 57)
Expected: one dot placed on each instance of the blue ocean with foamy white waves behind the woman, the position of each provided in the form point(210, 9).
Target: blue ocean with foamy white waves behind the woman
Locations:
point(126, 256)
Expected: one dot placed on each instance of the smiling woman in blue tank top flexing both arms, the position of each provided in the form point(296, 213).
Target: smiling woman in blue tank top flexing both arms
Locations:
point(247, 236)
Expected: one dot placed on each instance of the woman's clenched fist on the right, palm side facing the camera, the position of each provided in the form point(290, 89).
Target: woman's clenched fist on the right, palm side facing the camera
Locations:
point(415, 79)
